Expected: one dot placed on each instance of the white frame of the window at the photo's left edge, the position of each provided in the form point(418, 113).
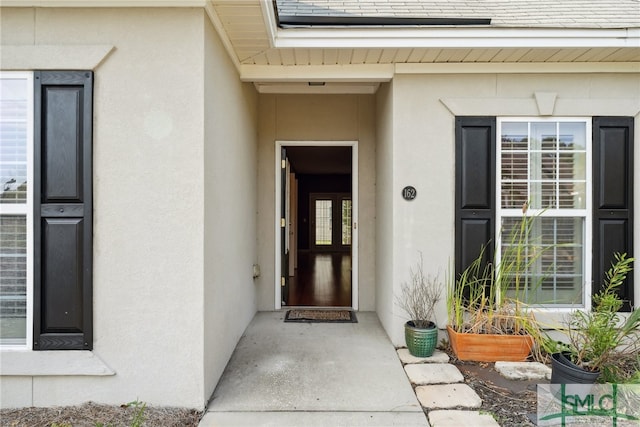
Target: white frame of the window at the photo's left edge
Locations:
point(25, 209)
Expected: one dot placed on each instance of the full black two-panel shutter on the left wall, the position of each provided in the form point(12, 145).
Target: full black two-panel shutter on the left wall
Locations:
point(63, 210)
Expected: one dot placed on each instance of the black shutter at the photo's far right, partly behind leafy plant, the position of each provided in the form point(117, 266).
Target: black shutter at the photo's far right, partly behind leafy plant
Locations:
point(612, 197)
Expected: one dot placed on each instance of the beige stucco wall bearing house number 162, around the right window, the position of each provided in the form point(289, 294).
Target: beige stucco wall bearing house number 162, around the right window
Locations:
point(422, 154)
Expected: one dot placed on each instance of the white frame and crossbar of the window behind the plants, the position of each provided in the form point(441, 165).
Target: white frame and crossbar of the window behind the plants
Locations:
point(586, 213)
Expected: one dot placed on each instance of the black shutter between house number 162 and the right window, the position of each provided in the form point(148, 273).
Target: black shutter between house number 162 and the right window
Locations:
point(475, 189)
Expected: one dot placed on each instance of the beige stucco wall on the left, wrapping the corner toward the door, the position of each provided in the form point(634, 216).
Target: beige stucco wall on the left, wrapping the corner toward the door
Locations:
point(172, 256)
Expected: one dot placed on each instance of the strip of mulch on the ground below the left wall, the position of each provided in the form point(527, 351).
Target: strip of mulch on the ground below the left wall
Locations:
point(93, 415)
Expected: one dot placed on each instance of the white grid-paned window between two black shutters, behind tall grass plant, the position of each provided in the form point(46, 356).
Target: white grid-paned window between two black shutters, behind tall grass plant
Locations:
point(546, 163)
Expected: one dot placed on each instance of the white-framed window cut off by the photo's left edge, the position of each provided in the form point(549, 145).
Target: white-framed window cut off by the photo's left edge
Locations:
point(16, 209)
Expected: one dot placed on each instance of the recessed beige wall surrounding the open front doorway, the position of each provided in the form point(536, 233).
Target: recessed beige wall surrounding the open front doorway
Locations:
point(319, 118)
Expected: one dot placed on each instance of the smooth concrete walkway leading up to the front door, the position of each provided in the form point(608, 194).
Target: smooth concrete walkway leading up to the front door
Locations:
point(314, 374)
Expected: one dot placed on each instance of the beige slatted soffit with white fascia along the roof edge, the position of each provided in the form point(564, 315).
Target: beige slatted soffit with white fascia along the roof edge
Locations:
point(254, 40)
